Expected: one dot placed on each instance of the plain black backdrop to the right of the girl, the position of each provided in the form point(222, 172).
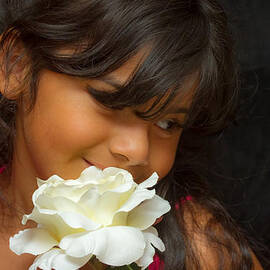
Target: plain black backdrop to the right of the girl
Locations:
point(239, 165)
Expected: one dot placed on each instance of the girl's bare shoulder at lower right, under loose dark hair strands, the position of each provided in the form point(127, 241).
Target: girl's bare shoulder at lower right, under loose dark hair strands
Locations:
point(212, 243)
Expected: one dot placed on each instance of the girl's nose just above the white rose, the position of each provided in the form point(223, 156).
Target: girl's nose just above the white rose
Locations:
point(130, 145)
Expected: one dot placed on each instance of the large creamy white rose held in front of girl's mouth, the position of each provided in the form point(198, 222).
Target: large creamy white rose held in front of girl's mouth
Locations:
point(102, 213)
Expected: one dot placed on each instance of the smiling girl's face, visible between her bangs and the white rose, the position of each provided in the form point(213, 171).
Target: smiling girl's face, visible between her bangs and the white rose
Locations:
point(68, 130)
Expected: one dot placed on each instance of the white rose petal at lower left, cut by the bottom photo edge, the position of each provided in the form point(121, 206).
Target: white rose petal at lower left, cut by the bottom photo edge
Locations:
point(57, 259)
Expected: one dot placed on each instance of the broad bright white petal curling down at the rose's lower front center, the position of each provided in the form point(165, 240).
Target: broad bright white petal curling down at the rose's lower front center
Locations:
point(114, 246)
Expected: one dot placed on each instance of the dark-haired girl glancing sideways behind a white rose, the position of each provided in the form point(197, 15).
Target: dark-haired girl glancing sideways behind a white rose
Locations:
point(118, 83)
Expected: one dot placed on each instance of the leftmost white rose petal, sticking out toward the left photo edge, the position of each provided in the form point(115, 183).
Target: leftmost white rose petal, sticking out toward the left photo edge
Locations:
point(34, 241)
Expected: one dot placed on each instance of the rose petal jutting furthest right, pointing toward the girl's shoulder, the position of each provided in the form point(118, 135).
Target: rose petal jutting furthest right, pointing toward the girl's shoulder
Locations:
point(147, 212)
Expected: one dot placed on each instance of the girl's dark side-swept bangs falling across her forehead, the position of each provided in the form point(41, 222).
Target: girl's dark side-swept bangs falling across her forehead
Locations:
point(173, 55)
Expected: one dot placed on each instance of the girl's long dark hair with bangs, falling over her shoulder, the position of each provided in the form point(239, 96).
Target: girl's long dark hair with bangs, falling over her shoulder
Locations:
point(184, 37)
